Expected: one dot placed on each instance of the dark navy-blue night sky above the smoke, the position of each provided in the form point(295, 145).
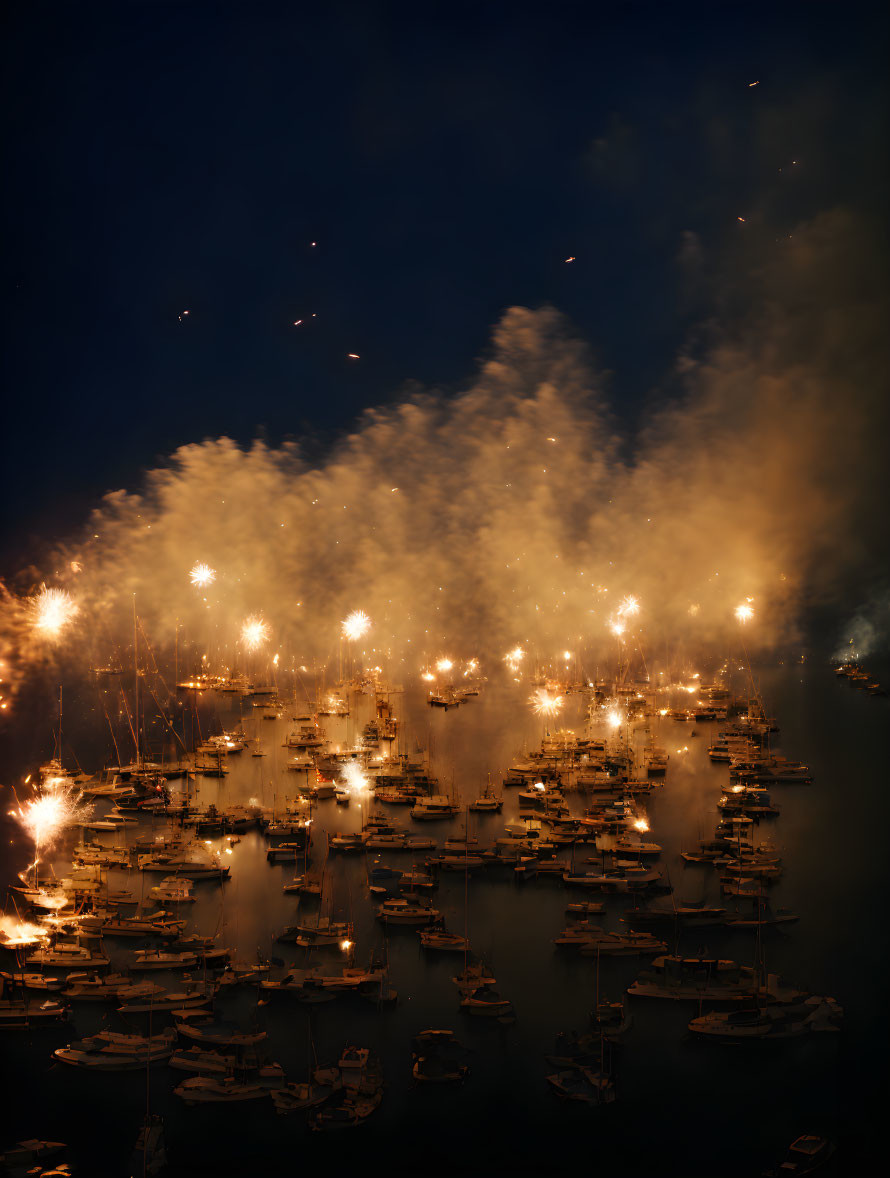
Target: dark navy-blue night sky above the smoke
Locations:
point(162, 157)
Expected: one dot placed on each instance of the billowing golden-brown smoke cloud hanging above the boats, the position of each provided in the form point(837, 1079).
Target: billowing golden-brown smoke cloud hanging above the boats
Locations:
point(515, 512)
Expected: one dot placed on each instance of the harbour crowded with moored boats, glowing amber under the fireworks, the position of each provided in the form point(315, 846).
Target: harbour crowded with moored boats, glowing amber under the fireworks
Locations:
point(244, 964)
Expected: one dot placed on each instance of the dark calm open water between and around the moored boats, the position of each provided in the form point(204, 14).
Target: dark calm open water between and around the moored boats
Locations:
point(683, 1108)
